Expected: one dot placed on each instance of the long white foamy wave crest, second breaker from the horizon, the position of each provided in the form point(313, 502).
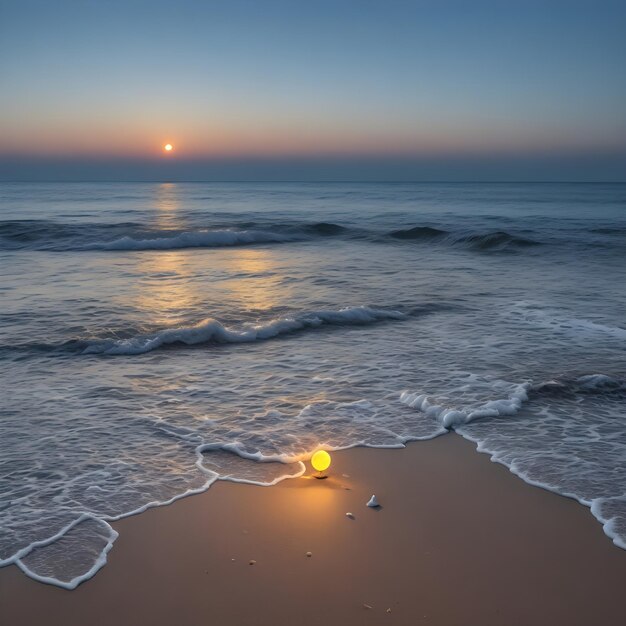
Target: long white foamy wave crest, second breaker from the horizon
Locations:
point(212, 331)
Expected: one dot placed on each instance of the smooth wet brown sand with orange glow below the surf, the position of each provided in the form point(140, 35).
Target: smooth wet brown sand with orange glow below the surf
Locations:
point(457, 540)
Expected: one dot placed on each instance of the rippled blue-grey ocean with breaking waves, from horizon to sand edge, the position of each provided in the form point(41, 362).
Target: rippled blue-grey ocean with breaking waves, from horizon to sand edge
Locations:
point(155, 338)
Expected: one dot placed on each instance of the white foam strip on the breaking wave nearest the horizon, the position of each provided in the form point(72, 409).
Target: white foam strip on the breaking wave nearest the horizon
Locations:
point(193, 239)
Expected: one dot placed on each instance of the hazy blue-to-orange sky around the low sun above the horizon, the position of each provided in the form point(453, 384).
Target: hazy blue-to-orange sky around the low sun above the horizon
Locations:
point(312, 90)
